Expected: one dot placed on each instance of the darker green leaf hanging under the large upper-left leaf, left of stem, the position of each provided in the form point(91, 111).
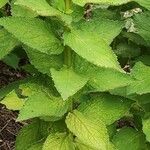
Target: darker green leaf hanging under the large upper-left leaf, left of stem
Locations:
point(39, 60)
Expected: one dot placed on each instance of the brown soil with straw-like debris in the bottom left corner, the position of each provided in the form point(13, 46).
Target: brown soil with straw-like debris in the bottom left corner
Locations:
point(8, 128)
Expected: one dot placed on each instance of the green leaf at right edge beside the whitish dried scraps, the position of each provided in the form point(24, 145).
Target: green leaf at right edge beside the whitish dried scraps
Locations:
point(142, 25)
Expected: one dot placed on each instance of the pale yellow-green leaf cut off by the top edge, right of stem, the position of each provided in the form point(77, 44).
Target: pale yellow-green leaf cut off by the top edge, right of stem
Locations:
point(102, 2)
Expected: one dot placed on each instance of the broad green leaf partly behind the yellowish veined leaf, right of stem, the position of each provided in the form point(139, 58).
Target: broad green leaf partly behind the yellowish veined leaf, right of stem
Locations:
point(105, 107)
